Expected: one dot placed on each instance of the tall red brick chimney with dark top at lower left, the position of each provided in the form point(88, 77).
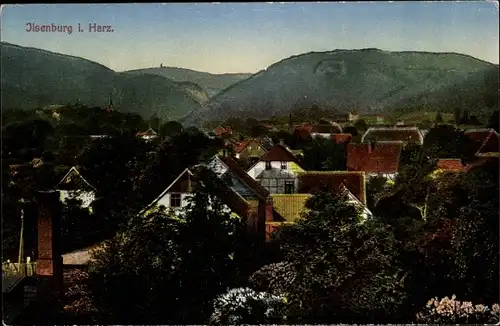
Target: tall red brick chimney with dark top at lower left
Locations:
point(49, 261)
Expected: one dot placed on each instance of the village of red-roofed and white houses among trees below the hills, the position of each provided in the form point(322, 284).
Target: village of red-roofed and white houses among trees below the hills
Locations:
point(267, 179)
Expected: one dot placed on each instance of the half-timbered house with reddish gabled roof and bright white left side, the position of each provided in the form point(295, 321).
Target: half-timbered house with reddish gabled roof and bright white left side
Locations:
point(276, 170)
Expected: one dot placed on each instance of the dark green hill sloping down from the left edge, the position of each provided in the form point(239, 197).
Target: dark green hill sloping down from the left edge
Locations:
point(34, 78)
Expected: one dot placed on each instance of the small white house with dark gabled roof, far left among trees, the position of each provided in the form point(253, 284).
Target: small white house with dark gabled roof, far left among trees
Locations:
point(74, 186)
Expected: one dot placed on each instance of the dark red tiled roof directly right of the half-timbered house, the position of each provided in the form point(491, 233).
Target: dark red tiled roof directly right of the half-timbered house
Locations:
point(354, 181)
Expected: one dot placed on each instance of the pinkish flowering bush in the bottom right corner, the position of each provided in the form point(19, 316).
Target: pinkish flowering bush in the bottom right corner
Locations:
point(451, 311)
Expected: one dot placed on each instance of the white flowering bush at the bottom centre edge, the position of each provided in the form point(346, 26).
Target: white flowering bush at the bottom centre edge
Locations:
point(245, 306)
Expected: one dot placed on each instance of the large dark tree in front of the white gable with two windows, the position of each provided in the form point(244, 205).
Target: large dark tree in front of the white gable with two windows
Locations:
point(178, 262)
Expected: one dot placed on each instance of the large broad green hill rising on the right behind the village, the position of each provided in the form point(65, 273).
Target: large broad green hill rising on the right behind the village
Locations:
point(368, 80)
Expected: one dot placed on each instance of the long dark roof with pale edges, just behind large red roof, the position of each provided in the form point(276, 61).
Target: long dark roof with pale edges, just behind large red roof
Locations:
point(404, 134)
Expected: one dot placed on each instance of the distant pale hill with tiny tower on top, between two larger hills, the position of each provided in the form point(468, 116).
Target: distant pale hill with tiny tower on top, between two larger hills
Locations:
point(212, 83)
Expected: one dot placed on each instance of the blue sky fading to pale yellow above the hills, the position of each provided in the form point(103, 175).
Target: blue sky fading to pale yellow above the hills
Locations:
point(248, 37)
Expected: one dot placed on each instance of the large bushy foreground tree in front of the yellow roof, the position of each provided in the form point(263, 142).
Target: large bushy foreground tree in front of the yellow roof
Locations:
point(338, 270)
